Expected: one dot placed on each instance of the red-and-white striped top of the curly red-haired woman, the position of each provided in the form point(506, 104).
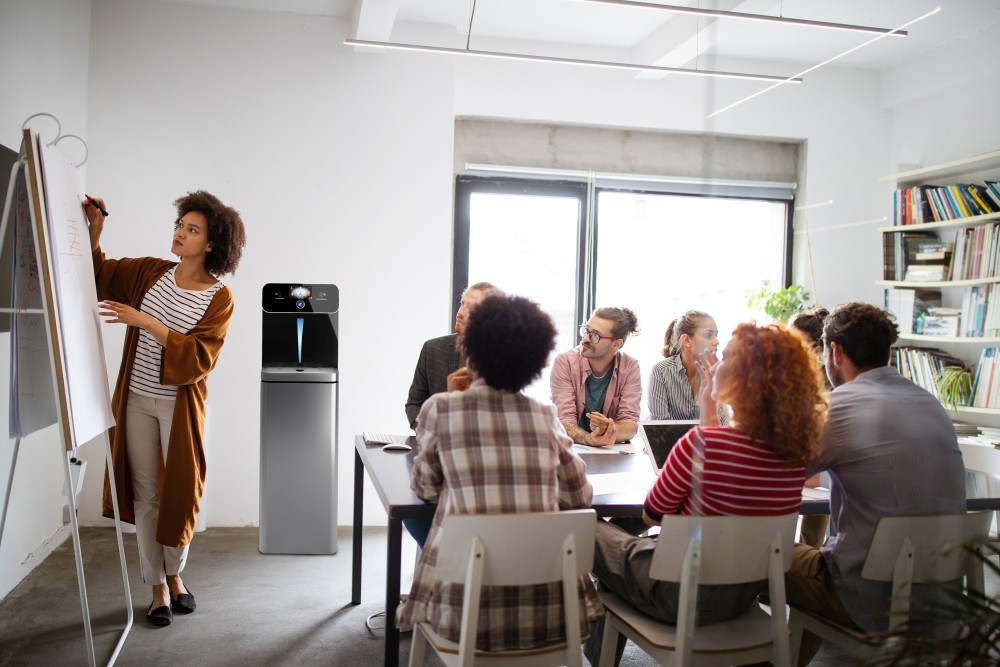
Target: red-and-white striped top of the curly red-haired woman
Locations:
point(738, 477)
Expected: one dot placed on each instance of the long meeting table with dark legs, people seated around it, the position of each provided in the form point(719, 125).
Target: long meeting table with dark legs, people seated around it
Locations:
point(620, 483)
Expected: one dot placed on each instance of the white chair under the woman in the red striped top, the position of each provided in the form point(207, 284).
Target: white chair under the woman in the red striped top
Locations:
point(698, 550)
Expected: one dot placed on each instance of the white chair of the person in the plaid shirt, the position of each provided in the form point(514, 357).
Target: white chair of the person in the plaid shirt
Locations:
point(511, 550)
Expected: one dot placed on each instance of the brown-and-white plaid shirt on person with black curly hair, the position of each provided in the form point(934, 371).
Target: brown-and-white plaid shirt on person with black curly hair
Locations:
point(486, 451)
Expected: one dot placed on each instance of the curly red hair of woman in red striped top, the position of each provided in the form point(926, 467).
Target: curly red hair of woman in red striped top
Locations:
point(775, 390)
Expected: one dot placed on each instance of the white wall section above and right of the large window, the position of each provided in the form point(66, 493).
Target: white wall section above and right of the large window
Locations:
point(835, 112)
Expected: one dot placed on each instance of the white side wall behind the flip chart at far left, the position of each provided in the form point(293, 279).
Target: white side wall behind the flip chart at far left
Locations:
point(44, 48)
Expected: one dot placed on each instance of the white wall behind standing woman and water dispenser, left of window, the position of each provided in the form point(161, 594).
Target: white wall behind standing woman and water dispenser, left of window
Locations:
point(340, 165)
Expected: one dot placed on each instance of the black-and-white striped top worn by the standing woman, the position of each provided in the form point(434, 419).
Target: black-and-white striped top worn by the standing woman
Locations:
point(180, 309)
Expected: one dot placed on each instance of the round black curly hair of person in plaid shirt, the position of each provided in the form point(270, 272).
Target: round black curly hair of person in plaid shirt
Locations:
point(508, 340)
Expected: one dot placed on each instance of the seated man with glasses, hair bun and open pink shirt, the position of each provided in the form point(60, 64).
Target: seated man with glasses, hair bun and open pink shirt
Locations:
point(596, 387)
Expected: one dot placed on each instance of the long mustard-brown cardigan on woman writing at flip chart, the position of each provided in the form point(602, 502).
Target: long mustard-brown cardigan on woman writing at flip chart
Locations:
point(187, 360)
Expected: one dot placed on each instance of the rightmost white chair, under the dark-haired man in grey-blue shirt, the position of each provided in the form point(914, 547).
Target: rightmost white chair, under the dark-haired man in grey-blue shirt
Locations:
point(905, 550)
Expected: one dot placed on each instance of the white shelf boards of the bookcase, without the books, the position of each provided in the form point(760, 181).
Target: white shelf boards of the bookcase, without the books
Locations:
point(974, 169)
